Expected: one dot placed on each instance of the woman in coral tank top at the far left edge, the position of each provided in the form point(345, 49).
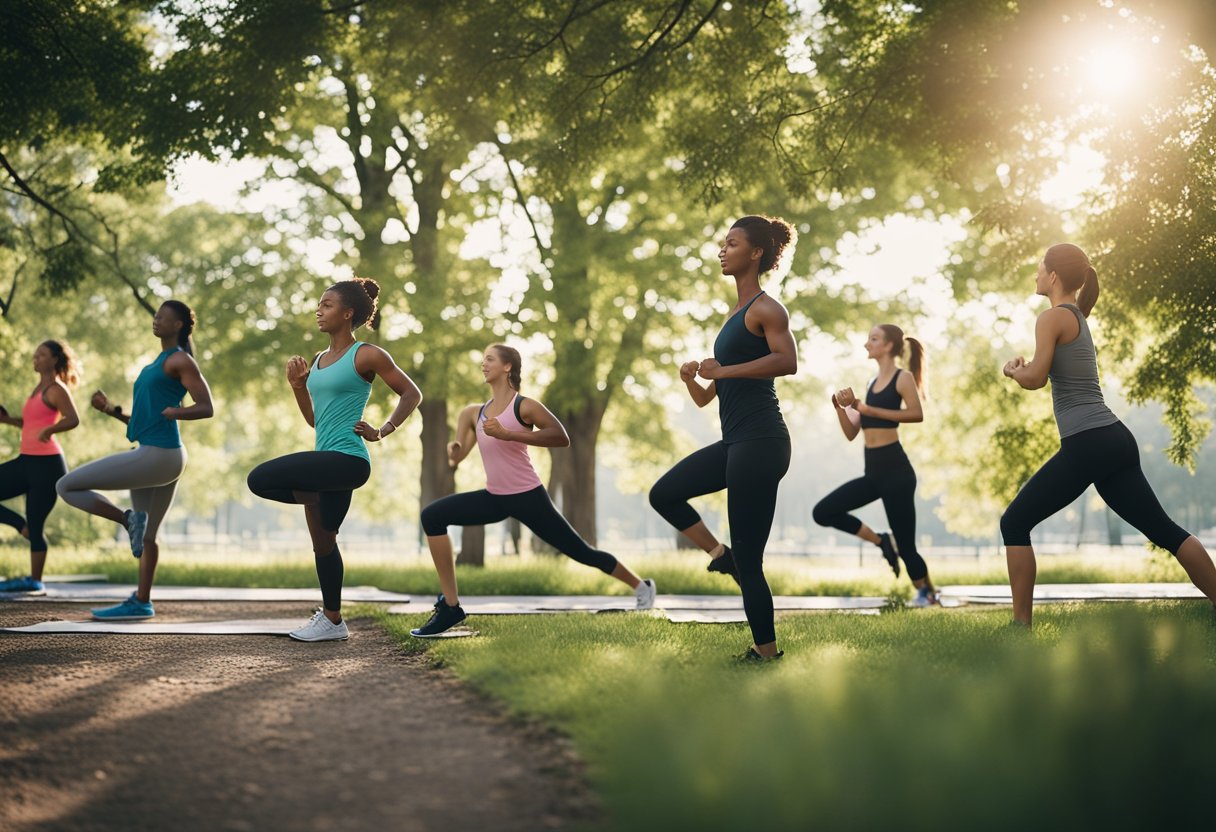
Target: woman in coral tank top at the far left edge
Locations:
point(49, 411)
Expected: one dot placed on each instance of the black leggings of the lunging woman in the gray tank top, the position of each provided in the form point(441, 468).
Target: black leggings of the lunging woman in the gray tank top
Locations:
point(1108, 459)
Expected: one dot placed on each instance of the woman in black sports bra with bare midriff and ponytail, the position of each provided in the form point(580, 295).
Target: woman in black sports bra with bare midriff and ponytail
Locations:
point(893, 397)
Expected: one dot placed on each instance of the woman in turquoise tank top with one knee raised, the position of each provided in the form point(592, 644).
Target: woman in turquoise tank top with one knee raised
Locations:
point(331, 396)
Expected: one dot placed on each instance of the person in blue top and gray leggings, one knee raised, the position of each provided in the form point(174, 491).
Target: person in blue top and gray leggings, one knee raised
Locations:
point(153, 470)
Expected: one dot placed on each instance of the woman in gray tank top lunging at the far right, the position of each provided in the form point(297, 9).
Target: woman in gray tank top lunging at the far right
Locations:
point(1096, 448)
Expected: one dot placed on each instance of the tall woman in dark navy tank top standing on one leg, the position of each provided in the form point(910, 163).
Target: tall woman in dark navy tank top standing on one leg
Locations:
point(755, 347)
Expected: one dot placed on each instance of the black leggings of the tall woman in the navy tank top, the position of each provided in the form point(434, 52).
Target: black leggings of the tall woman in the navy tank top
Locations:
point(751, 473)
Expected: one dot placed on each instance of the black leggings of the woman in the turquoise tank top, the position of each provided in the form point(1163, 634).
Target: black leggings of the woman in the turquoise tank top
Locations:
point(334, 477)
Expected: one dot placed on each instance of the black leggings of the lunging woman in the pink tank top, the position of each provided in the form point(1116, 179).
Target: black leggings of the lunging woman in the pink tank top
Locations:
point(533, 509)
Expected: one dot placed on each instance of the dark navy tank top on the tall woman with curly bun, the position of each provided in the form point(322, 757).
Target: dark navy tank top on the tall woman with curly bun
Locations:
point(748, 408)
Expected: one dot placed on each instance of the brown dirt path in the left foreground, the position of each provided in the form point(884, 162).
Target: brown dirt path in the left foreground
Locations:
point(260, 733)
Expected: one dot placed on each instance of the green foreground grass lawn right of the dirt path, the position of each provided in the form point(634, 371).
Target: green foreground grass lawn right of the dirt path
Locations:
point(1101, 718)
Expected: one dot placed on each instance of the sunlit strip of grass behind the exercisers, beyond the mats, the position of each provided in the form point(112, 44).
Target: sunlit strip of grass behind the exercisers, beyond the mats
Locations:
point(682, 574)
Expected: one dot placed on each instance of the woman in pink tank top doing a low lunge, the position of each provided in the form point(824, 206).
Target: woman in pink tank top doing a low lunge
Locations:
point(503, 429)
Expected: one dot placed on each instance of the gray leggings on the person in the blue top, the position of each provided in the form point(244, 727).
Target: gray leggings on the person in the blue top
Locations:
point(151, 474)
